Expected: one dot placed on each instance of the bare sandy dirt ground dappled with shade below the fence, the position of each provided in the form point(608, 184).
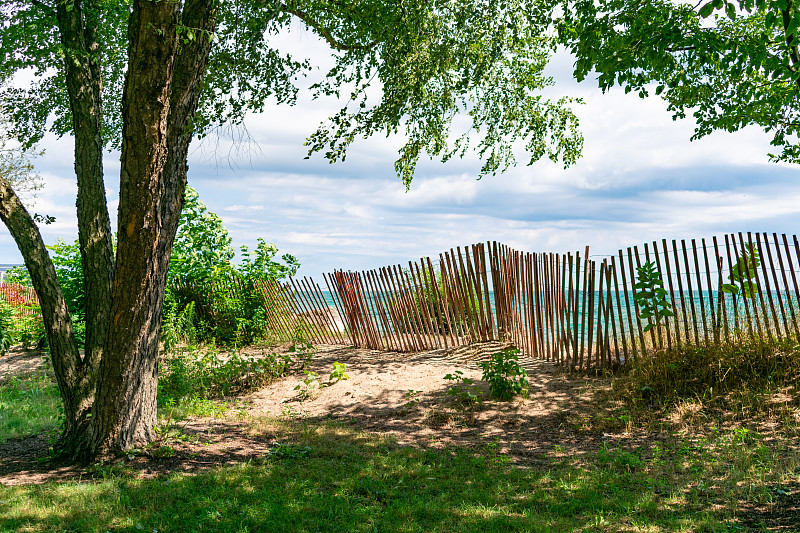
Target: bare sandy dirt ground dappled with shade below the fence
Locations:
point(396, 394)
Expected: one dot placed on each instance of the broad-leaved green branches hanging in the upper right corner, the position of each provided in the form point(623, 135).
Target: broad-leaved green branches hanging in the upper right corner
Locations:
point(729, 64)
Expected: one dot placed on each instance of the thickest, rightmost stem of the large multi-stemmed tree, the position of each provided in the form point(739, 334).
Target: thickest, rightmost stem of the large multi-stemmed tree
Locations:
point(161, 92)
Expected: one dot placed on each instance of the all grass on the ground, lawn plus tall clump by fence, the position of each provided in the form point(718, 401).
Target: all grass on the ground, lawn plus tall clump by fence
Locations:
point(708, 470)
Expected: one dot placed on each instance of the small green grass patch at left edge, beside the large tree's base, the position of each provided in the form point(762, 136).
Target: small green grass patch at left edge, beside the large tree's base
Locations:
point(29, 405)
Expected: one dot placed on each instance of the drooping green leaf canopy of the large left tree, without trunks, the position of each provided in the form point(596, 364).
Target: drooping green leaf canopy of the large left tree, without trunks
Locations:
point(433, 60)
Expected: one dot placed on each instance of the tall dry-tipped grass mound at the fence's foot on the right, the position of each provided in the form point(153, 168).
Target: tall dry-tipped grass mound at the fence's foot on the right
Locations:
point(689, 388)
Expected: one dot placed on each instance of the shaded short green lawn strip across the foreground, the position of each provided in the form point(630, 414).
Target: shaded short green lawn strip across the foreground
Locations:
point(328, 477)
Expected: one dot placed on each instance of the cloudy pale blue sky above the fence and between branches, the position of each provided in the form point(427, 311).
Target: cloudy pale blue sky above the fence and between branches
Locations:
point(639, 179)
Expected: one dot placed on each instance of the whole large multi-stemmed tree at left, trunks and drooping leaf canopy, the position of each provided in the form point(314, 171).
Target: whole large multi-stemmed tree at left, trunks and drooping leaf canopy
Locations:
point(149, 76)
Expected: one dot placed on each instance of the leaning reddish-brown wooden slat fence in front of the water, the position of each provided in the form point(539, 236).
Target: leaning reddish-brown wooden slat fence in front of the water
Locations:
point(568, 308)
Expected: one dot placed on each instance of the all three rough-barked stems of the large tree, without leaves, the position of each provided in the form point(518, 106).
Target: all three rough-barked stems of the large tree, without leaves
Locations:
point(116, 380)
